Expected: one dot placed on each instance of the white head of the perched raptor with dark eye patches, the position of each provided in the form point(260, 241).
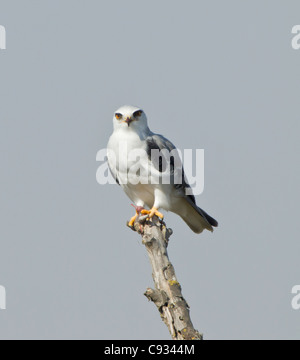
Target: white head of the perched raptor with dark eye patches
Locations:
point(131, 118)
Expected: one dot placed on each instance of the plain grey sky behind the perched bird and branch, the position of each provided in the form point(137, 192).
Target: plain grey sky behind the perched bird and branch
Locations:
point(217, 75)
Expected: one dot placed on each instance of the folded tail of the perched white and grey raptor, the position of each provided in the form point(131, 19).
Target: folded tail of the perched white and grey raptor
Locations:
point(196, 218)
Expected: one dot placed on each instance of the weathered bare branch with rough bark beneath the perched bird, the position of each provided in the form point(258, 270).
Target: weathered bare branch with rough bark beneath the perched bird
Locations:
point(167, 295)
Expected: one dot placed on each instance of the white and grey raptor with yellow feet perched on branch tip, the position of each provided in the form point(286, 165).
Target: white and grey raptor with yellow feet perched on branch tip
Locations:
point(131, 135)
